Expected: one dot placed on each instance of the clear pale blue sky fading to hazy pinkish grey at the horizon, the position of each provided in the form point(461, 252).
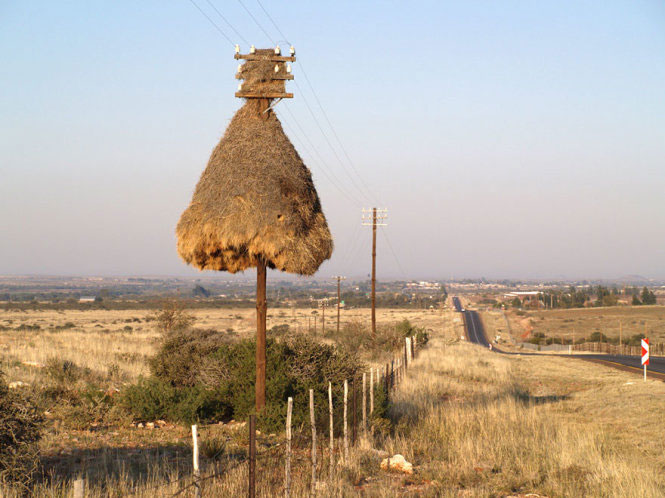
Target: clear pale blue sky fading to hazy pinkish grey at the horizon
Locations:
point(512, 139)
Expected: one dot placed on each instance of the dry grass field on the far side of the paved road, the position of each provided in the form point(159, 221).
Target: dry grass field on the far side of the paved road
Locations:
point(578, 323)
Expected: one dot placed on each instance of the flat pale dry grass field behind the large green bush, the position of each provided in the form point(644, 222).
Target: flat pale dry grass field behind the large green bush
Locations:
point(122, 340)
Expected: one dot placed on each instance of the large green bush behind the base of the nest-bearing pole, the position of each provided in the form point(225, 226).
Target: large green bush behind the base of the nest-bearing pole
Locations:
point(204, 377)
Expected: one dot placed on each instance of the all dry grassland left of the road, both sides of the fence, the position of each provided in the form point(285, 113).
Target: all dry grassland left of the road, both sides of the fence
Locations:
point(472, 422)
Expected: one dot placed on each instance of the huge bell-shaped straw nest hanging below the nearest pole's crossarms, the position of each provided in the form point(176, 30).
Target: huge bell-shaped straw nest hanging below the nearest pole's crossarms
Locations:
point(255, 202)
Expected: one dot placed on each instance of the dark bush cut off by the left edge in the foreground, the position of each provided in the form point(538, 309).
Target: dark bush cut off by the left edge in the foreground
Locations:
point(20, 424)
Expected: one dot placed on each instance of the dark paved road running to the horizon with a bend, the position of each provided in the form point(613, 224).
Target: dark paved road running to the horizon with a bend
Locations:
point(475, 333)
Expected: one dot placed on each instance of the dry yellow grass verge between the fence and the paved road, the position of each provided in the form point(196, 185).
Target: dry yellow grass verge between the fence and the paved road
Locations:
point(485, 424)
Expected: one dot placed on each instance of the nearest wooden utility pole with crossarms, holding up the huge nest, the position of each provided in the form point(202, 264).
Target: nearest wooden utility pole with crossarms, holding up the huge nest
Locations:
point(261, 92)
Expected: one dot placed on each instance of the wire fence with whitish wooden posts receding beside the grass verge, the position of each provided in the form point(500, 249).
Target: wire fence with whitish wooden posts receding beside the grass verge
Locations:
point(353, 407)
